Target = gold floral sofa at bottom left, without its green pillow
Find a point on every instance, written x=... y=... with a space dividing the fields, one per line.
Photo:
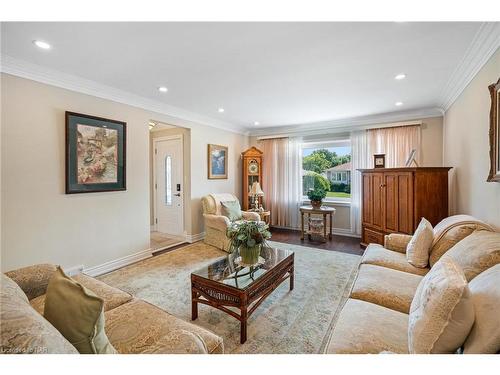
x=132 y=325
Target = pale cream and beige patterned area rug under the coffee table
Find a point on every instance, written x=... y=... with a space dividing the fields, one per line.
x=298 y=321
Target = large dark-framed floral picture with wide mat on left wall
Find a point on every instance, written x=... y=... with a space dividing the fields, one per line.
x=95 y=154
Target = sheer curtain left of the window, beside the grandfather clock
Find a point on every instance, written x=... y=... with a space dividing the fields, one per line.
x=281 y=179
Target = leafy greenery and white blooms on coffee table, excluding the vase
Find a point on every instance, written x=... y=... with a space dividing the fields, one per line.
x=247 y=234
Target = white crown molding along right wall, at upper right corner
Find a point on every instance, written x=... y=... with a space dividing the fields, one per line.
x=483 y=46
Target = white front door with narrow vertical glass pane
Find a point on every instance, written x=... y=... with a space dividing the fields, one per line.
x=169 y=185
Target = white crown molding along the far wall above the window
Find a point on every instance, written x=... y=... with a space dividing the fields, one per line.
x=349 y=124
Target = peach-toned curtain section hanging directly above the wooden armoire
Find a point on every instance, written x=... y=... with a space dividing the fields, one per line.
x=396 y=143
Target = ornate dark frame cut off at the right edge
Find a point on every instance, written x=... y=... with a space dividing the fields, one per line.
x=494 y=175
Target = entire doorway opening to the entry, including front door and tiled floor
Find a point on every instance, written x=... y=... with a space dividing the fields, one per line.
x=167 y=179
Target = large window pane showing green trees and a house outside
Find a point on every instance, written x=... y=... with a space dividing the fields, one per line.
x=327 y=166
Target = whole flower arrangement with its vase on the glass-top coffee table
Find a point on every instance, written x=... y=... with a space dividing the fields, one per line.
x=247 y=237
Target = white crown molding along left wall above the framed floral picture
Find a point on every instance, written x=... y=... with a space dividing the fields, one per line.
x=178 y=116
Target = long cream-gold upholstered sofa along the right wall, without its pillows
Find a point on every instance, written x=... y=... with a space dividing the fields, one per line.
x=375 y=318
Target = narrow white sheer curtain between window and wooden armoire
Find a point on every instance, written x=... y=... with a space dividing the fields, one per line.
x=361 y=157
